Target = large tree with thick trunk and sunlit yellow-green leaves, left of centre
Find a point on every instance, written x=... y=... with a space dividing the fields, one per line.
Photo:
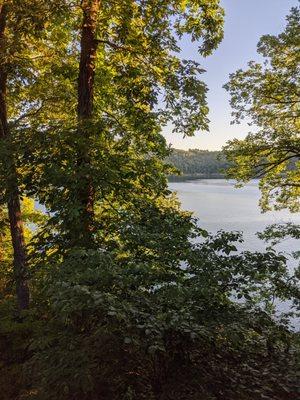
x=130 y=83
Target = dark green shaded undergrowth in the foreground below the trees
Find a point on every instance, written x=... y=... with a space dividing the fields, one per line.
x=116 y=329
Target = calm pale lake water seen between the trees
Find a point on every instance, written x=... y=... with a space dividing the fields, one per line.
x=219 y=205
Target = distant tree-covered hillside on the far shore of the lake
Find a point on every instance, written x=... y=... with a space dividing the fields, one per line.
x=196 y=163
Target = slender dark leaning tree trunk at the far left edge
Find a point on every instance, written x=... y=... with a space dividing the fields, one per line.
x=12 y=190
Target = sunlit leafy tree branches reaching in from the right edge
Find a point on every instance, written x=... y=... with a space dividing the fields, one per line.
x=269 y=95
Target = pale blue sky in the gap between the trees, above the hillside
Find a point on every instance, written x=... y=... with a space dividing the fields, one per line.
x=245 y=22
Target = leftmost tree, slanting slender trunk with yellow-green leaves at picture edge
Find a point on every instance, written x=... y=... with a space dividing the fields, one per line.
x=21 y=26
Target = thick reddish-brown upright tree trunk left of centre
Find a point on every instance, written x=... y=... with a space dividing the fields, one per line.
x=88 y=48
